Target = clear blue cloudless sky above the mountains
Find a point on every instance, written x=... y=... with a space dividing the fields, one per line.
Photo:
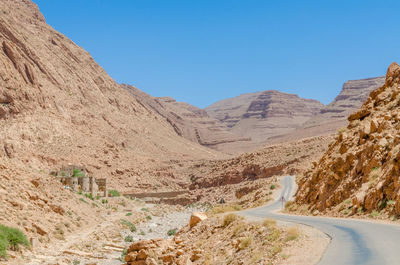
x=202 y=51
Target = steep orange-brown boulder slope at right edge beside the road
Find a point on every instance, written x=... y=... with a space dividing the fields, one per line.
x=359 y=172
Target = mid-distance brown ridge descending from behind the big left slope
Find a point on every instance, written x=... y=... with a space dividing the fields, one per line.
x=188 y=121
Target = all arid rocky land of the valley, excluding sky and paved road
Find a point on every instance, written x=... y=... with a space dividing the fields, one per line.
x=175 y=173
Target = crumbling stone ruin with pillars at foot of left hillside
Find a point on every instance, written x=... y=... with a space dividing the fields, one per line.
x=77 y=179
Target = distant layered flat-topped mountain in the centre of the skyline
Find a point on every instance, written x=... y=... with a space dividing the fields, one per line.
x=264 y=114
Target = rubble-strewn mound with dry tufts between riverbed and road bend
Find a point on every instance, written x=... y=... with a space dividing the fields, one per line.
x=230 y=240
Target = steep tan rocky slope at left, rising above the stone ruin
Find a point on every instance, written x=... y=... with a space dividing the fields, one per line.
x=58 y=107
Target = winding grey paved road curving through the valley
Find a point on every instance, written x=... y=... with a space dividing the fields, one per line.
x=353 y=242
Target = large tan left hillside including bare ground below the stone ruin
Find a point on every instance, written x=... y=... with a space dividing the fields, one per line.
x=58 y=107
